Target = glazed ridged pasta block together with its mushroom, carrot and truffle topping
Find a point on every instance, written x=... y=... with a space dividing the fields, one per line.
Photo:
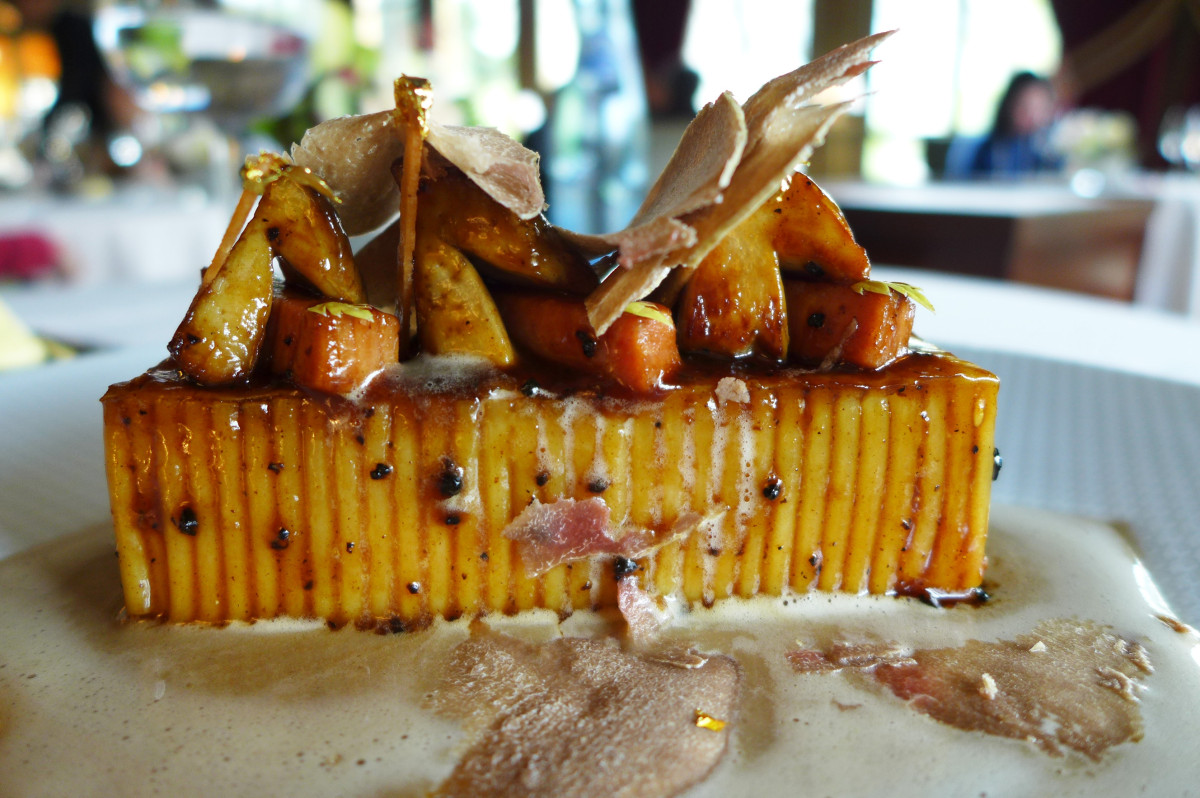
x=481 y=413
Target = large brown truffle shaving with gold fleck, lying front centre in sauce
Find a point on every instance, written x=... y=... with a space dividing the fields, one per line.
x=583 y=718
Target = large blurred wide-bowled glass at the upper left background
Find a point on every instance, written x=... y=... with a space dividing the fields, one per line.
x=225 y=62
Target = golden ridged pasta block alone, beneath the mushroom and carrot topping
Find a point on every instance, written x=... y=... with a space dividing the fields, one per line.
x=392 y=509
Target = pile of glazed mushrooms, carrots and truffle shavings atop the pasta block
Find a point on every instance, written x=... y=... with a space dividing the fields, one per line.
x=734 y=256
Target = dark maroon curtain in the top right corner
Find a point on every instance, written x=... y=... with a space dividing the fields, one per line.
x=1142 y=57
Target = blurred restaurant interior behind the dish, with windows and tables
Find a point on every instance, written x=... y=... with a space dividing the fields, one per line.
x=123 y=123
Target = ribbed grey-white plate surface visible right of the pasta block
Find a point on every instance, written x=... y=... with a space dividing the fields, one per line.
x=1109 y=446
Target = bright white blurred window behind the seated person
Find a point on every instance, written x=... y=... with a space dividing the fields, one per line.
x=945 y=74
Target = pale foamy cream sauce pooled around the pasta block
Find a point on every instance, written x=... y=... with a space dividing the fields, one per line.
x=92 y=706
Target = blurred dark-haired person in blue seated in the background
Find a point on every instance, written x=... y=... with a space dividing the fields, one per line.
x=1019 y=141
